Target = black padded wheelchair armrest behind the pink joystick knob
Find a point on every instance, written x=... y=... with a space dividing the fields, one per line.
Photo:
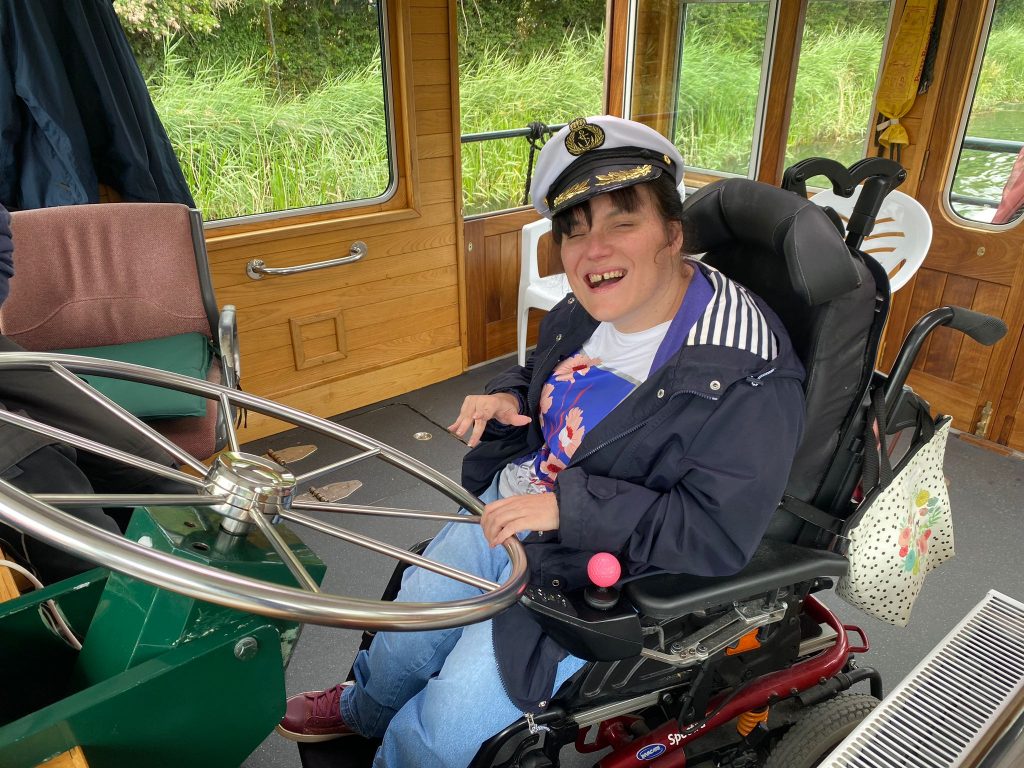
x=775 y=565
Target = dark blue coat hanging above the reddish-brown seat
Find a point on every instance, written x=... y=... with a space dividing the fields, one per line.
x=75 y=111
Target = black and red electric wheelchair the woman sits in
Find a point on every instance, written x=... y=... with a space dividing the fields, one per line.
x=749 y=670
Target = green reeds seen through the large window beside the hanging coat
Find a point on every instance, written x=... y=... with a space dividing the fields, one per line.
x=244 y=149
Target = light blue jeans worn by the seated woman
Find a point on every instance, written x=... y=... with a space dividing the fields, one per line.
x=435 y=697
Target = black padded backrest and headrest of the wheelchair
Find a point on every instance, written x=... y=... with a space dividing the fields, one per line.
x=833 y=303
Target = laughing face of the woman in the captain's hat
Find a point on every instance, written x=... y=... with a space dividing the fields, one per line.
x=625 y=268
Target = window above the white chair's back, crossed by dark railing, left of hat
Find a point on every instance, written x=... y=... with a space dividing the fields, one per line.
x=541 y=61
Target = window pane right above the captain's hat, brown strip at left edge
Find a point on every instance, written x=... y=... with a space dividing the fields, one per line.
x=706 y=87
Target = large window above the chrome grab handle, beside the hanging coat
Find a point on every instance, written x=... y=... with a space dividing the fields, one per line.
x=271 y=107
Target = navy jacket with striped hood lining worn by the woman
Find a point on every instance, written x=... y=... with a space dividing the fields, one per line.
x=684 y=476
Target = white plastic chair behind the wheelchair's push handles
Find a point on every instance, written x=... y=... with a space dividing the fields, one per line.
x=902 y=236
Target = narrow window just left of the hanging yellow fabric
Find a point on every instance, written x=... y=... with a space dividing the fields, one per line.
x=840 y=63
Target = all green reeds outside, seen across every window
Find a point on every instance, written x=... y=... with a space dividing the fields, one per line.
x=247 y=149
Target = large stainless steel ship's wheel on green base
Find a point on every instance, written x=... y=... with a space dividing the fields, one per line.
x=247 y=491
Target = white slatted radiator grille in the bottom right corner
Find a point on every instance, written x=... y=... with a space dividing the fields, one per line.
x=936 y=717
